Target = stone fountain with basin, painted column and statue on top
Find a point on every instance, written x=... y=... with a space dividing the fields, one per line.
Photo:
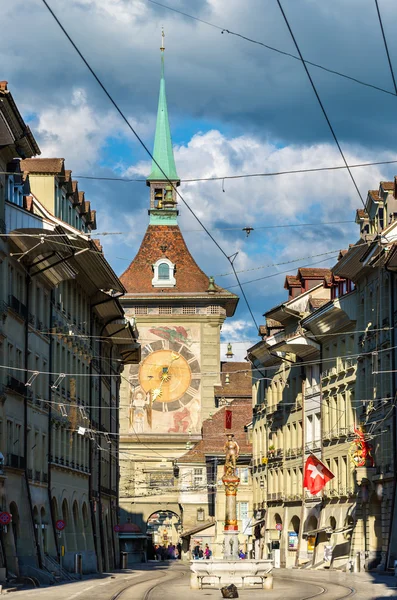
x=244 y=573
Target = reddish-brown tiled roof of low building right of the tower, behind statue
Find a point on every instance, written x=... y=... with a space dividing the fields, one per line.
x=214 y=435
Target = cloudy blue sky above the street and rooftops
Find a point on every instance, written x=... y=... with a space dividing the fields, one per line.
x=235 y=108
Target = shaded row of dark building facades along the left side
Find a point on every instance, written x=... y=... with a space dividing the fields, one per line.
x=64 y=343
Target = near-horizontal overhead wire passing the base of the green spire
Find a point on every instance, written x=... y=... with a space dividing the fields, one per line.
x=229 y=177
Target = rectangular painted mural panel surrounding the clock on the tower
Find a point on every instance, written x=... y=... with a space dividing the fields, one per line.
x=164 y=389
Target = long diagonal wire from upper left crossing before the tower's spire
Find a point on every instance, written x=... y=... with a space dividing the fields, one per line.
x=151 y=156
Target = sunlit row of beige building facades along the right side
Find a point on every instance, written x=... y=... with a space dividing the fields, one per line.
x=347 y=396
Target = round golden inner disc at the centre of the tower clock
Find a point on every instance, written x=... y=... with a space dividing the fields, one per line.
x=166 y=375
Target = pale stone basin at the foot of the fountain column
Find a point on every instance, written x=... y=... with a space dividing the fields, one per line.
x=217 y=573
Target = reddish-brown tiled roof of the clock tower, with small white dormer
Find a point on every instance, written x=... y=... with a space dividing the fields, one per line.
x=137 y=278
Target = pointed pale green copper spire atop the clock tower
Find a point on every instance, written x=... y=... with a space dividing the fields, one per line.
x=163 y=153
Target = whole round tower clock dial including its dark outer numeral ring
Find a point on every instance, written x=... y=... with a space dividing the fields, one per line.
x=170 y=374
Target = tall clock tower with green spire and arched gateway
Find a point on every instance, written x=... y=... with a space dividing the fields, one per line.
x=179 y=312
